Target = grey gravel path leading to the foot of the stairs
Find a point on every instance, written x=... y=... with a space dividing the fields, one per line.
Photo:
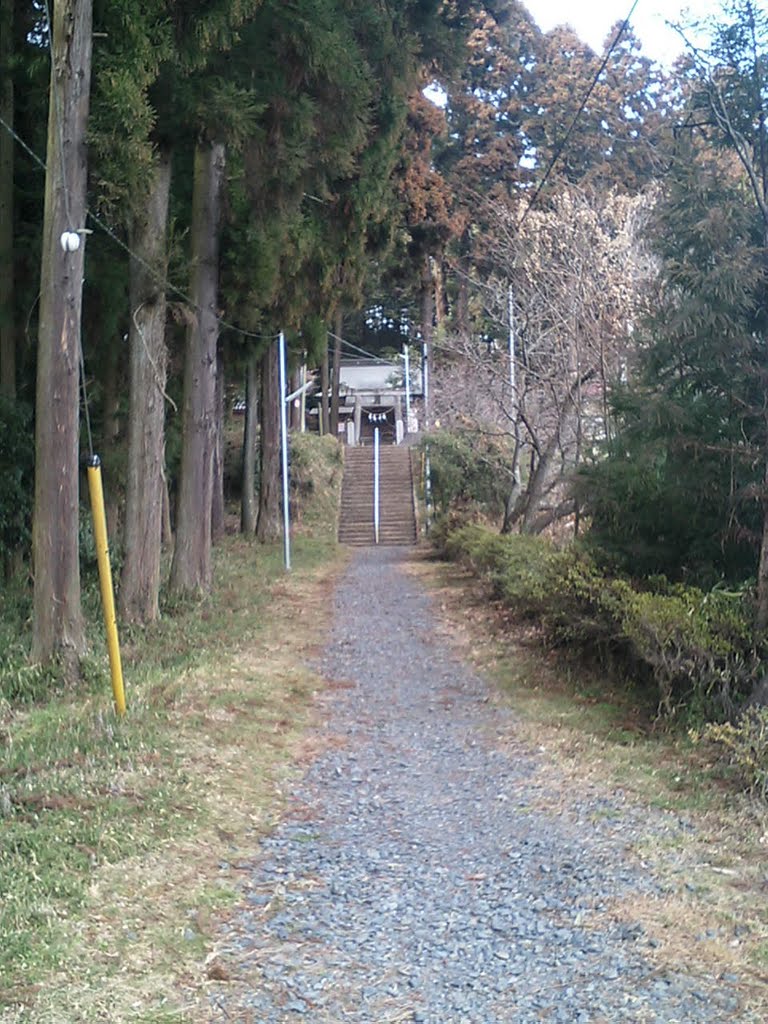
x=414 y=880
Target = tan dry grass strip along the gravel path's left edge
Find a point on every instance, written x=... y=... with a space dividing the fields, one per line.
x=144 y=950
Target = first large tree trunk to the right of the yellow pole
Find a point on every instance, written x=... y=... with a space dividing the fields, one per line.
x=140 y=585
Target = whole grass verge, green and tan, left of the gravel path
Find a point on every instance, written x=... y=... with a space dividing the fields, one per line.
x=122 y=841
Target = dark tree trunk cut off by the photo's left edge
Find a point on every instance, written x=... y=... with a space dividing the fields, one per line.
x=8 y=327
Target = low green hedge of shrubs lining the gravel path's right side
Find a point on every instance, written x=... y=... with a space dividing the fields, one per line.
x=695 y=648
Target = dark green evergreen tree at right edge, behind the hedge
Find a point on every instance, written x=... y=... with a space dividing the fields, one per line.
x=680 y=491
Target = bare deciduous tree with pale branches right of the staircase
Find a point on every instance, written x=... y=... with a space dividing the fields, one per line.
x=576 y=275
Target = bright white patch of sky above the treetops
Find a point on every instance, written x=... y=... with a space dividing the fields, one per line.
x=592 y=21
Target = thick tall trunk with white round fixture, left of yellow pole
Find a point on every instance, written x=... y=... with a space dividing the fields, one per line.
x=58 y=621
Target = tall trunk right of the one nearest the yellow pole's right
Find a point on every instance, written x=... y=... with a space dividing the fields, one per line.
x=192 y=569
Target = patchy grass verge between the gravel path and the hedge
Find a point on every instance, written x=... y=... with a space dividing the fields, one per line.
x=709 y=840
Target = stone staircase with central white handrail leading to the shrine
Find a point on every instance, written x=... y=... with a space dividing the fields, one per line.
x=397 y=514
